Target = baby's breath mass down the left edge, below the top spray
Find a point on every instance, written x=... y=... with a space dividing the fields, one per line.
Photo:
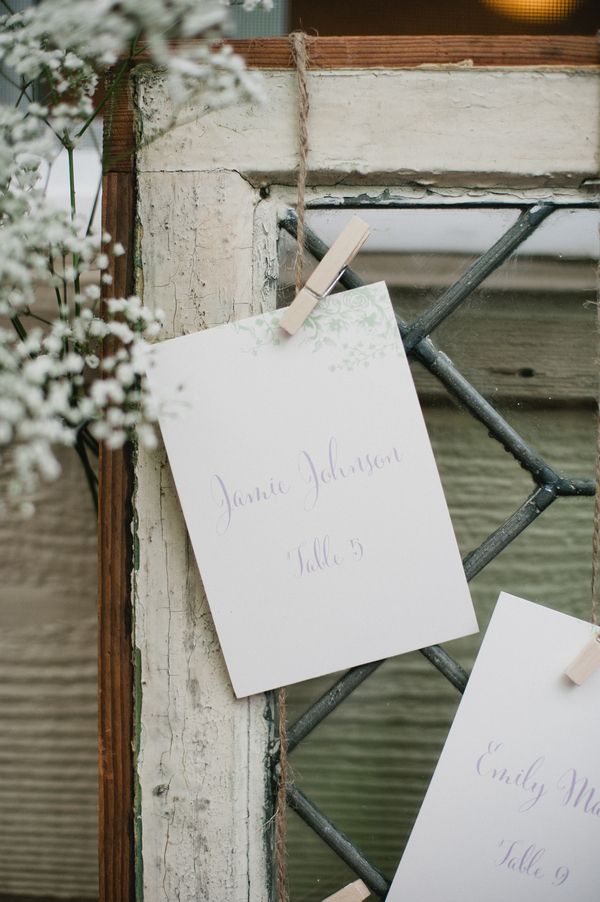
x=54 y=381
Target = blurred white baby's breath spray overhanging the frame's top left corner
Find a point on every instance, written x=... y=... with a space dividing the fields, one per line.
x=68 y=41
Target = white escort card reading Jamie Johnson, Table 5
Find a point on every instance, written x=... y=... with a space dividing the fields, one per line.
x=310 y=491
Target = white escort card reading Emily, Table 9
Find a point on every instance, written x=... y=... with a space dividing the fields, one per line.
x=513 y=809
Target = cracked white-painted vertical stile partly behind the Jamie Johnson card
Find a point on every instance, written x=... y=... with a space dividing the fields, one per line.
x=201 y=767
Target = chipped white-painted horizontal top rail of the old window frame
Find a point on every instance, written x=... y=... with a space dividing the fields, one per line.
x=431 y=126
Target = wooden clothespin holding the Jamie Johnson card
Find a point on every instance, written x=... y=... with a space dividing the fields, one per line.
x=329 y=270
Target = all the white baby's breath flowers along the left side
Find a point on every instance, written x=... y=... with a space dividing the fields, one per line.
x=76 y=378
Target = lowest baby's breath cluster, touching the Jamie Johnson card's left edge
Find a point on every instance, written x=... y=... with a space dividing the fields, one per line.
x=79 y=372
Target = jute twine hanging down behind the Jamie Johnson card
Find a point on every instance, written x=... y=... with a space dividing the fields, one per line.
x=300 y=57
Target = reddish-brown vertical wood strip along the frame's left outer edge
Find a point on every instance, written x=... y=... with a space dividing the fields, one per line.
x=115 y=709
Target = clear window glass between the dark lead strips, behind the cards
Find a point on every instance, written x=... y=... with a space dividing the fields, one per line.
x=526 y=340
